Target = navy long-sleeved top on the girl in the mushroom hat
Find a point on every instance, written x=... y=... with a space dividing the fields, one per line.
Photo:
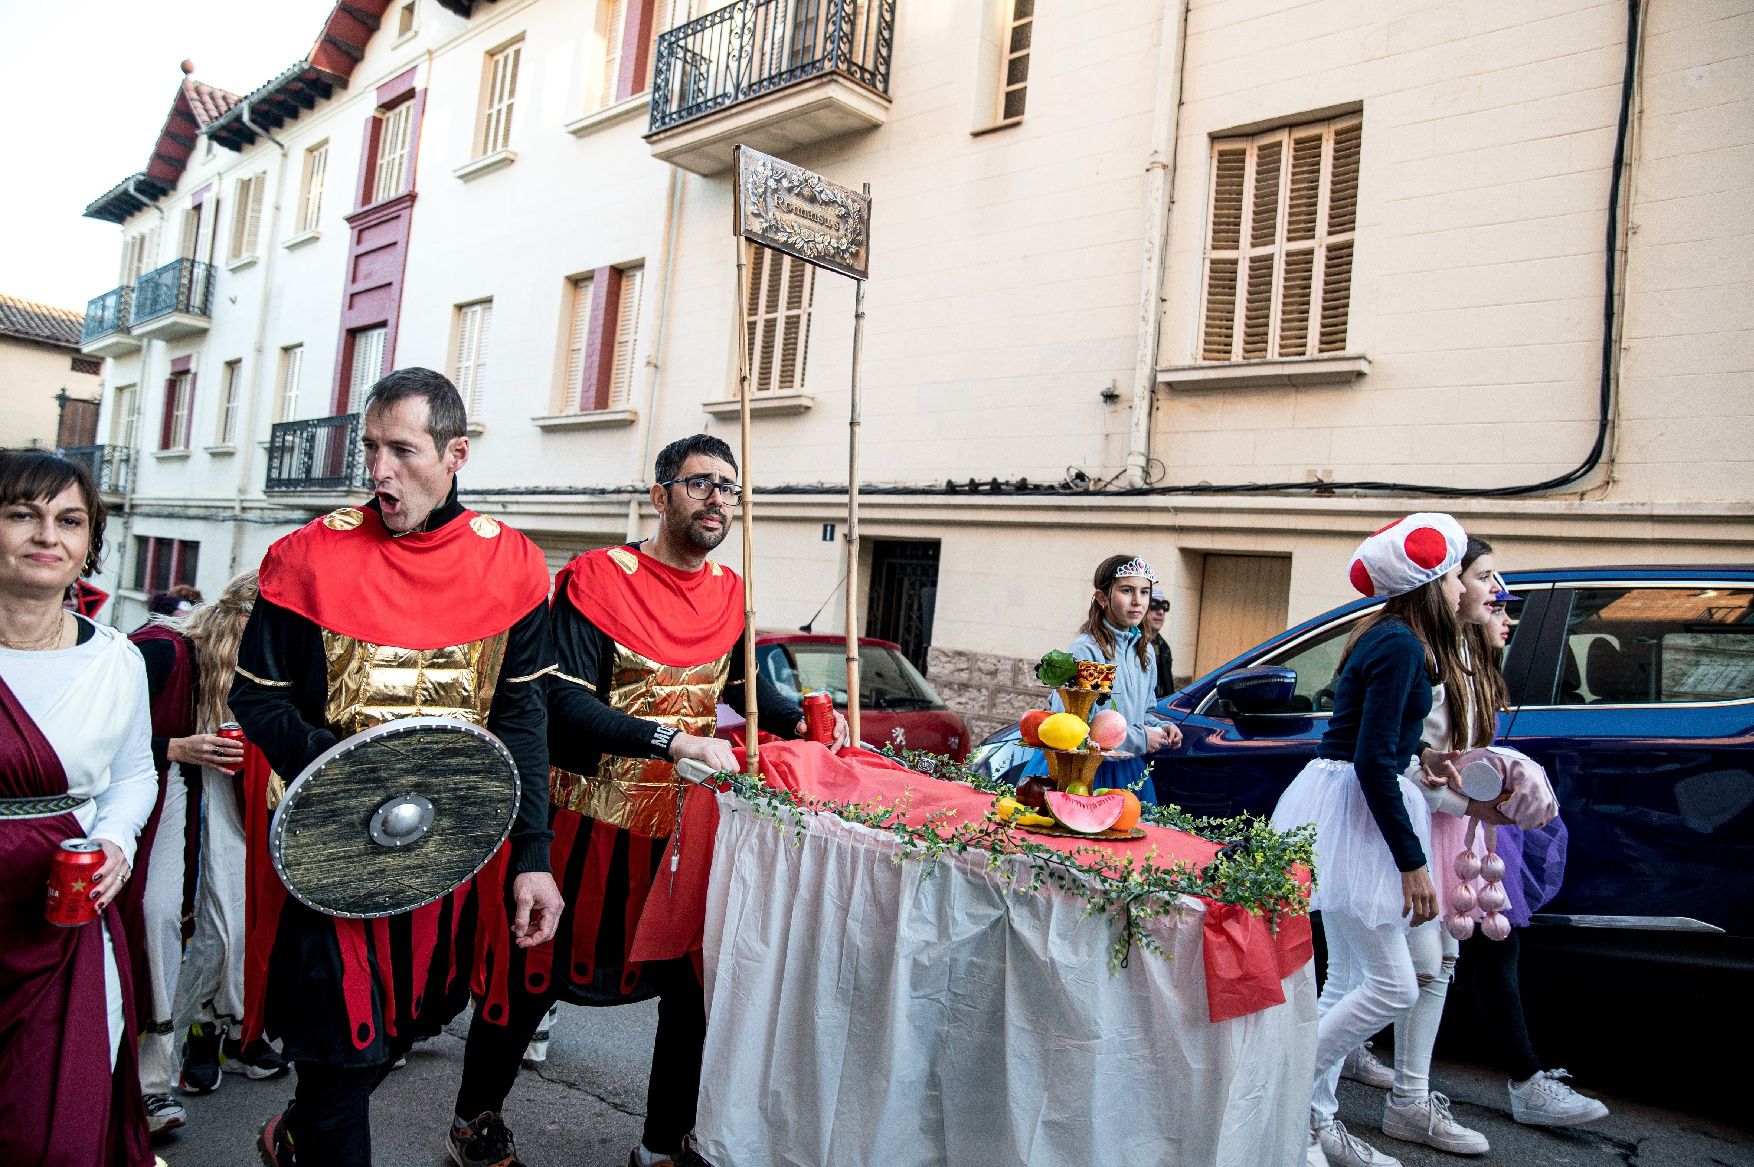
x=1380 y=706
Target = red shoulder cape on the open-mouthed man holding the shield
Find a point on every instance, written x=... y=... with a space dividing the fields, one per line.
x=466 y=582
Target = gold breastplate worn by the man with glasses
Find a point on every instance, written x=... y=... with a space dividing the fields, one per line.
x=639 y=794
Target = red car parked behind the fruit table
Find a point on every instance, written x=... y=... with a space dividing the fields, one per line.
x=897 y=706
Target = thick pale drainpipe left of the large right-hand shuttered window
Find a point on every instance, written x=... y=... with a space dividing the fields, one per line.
x=1160 y=173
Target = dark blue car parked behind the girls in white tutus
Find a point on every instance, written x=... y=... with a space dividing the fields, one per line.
x=1632 y=685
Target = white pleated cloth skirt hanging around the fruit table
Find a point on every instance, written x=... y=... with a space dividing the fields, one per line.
x=866 y=1015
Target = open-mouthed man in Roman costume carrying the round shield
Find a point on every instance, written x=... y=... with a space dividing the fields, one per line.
x=410 y=606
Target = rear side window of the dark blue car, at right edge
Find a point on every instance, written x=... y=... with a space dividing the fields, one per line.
x=1639 y=647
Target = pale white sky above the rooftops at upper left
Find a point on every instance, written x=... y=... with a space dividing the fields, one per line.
x=85 y=87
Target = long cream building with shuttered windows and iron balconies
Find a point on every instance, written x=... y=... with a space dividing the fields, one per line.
x=1218 y=283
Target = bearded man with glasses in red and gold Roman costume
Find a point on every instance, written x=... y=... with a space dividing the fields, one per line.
x=648 y=638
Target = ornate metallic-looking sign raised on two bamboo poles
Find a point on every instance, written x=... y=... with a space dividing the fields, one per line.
x=804 y=215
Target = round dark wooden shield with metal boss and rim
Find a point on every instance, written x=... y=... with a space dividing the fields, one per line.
x=394 y=817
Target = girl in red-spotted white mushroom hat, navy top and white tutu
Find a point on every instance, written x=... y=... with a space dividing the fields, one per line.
x=1373 y=822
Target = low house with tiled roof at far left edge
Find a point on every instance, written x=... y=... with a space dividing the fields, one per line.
x=50 y=390
